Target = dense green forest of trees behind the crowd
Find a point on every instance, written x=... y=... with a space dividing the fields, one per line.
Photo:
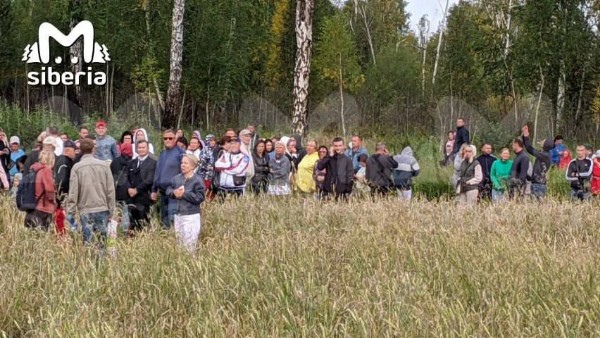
x=502 y=61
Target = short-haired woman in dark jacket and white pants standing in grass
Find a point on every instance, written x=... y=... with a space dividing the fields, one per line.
x=187 y=193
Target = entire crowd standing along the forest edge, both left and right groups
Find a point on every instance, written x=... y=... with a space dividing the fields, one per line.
x=100 y=179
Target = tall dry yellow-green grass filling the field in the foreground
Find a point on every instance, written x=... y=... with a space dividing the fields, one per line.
x=292 y=267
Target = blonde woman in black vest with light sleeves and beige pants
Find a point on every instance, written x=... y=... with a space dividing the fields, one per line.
x=470 y=175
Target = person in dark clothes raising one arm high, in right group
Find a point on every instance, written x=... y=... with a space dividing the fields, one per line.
x=543 y=162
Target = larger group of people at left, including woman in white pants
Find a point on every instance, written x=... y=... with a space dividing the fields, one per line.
x=101 y=179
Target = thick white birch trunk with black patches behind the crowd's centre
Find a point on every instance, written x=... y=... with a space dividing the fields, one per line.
x=304 y=16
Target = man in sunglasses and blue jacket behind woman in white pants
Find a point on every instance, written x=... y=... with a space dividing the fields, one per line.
x=167 y=167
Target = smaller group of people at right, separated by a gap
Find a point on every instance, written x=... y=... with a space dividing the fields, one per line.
x=484 y=177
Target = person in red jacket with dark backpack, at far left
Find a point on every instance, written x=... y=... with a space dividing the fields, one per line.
x=41 y=216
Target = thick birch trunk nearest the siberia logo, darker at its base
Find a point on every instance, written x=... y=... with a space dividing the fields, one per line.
x=173 y=102
